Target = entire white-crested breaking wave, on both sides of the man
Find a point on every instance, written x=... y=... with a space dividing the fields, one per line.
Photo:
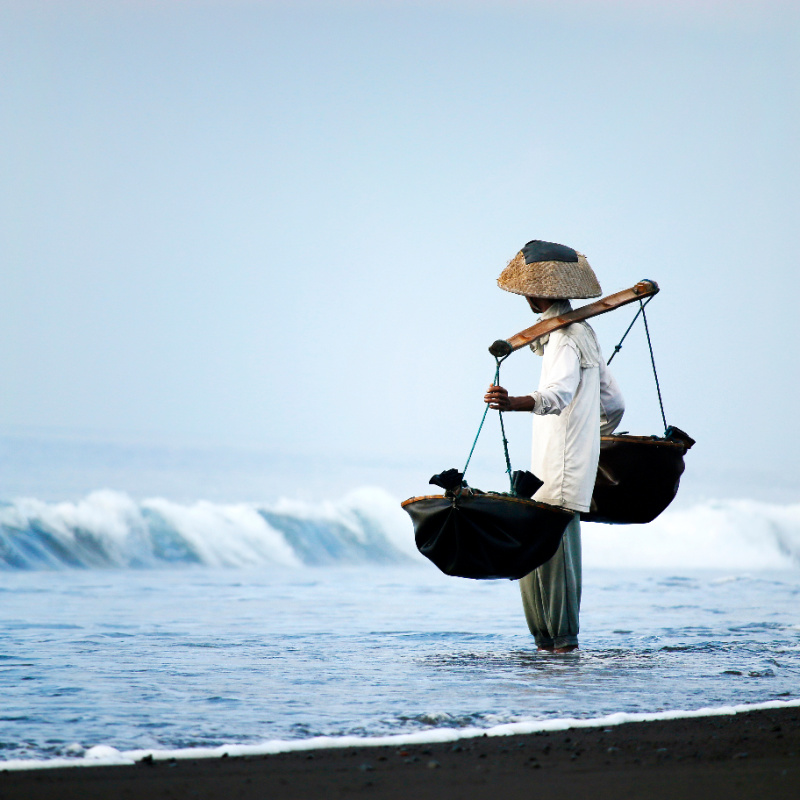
x=109 y=529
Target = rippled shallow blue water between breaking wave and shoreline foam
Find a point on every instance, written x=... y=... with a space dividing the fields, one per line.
x=200 y=656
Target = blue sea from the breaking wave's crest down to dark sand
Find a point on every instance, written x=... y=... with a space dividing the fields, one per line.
x=150 y=625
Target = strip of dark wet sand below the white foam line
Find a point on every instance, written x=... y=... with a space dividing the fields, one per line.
x=750 y=755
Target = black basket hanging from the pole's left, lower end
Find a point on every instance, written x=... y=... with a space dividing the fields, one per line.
x=486 y=535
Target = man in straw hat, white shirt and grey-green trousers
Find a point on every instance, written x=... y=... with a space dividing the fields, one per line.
x=577 y=399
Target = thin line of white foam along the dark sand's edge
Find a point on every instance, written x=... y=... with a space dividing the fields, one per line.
x=105 y=755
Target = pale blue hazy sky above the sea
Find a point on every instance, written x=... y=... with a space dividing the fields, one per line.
x=280 y=224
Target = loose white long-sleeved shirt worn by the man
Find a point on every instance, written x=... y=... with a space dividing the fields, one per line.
x=577 y=399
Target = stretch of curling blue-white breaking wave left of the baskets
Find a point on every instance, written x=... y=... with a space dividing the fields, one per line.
x=109 y=529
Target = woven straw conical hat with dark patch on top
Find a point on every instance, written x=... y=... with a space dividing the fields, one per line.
x=545 y=269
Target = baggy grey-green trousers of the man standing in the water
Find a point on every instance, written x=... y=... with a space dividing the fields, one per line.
x=551 y=594
